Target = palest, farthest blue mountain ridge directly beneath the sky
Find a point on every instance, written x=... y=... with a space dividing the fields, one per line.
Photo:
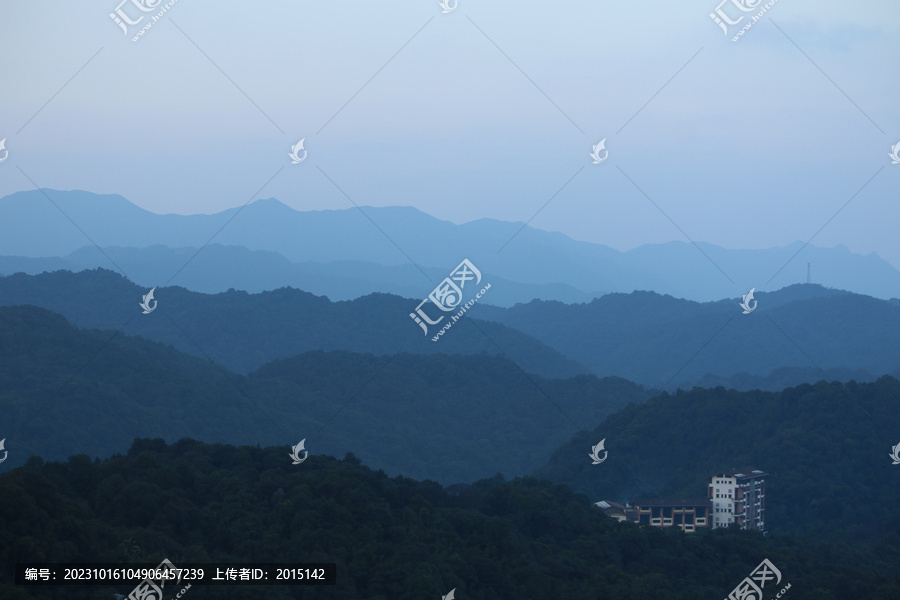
x=31 y=227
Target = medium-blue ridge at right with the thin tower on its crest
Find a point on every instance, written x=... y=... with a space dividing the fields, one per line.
x=663 y=342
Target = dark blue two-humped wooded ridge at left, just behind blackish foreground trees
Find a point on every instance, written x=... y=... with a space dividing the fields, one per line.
x=65 y=391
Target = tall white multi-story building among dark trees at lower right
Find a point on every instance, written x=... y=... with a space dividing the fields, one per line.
x=739 y=496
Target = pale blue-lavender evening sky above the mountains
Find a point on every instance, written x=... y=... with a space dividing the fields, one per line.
x=487 y=111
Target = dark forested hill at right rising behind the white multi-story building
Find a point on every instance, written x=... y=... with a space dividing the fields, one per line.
x=825 y=447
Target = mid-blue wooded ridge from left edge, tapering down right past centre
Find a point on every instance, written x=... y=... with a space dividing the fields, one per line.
x=244 y=331
